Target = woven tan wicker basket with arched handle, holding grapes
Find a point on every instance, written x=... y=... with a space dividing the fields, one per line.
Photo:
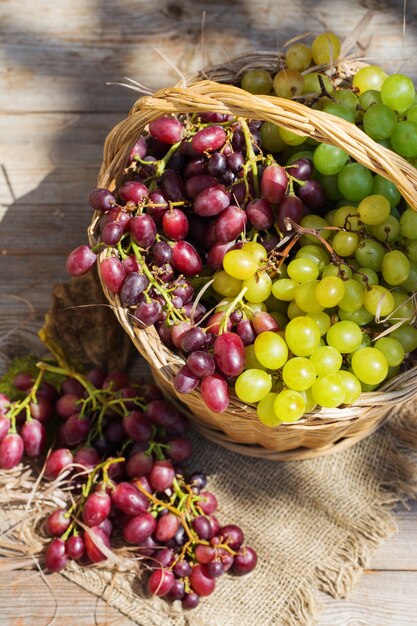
x=239 y=429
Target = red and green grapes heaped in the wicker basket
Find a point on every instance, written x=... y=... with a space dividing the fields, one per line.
x=271 y=264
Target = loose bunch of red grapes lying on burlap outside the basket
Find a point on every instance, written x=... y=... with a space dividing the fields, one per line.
x=120 y=452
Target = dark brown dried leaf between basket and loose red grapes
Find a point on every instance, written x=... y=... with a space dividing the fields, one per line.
x=80 y=328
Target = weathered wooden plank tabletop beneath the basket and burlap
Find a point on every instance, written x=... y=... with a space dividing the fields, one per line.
x=56 y=110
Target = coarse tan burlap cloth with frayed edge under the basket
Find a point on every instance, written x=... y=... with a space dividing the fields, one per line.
x=315 y=525
